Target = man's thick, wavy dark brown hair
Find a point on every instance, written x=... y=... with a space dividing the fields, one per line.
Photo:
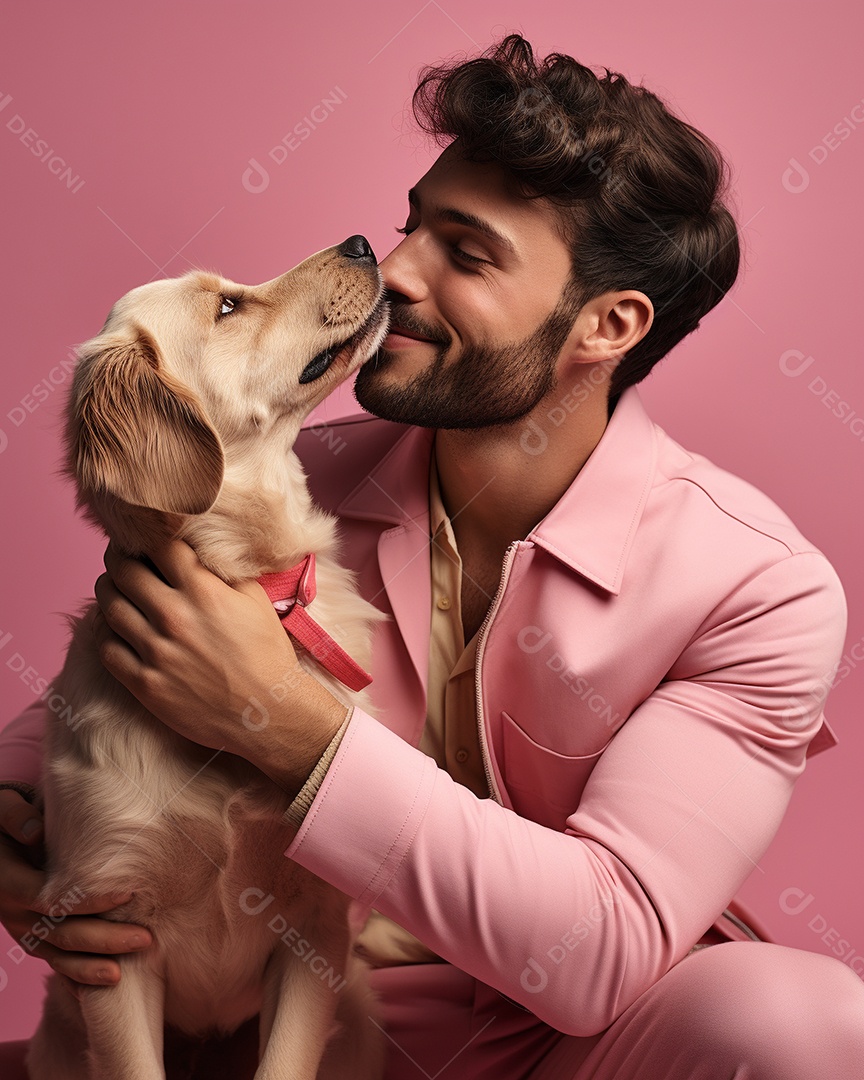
x=640 y=191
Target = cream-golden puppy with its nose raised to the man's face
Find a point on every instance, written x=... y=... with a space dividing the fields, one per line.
x=181 y=423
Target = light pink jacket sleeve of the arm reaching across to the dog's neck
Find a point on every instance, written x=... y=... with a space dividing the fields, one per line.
x=677 y=815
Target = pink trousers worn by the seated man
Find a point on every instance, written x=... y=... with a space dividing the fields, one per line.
x=736 y=1011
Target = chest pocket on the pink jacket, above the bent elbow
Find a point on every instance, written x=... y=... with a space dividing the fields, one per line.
x=543 y=785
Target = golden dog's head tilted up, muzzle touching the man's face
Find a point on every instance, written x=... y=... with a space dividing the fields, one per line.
x=188 y=368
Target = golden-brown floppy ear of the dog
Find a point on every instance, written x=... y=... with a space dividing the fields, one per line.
x=138 y=434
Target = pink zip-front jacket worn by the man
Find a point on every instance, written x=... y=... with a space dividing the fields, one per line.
x=651 y=679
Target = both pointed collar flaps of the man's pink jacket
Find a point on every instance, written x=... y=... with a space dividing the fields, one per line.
x=591 y=529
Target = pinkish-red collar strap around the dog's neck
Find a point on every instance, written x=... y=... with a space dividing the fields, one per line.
x=290 y=591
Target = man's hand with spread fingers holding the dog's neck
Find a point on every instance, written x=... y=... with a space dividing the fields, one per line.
x=213 y=663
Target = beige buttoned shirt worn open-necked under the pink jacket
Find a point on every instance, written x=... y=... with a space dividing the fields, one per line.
x=451 y=733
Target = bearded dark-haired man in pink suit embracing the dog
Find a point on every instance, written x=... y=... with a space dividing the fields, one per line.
x=587 y=748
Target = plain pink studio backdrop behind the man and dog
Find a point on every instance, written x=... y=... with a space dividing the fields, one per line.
x=157 y=111
